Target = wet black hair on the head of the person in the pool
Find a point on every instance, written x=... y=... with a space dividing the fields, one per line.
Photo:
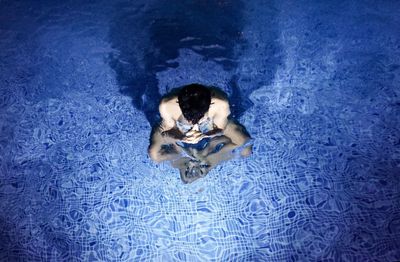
x=194 y=101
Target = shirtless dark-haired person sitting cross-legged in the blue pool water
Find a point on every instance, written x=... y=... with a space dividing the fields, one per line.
x=195 y=122
